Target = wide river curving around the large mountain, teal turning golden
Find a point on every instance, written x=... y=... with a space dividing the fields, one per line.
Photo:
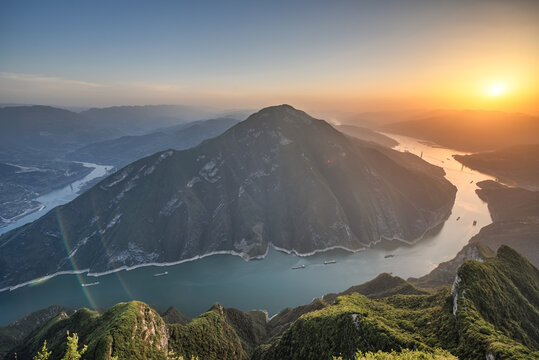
x=270 y=284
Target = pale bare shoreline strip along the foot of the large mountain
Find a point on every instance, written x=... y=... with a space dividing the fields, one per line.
x=244 y=256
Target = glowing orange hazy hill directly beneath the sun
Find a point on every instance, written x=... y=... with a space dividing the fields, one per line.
x=470 y=130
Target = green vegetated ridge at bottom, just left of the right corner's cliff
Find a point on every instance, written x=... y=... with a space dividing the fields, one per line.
x=355 y=322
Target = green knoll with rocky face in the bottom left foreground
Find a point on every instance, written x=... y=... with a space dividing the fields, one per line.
x=128 y=330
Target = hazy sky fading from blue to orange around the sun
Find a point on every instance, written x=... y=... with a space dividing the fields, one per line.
x=347 y=55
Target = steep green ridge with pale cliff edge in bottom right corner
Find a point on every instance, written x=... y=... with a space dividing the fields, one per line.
x=496 y=304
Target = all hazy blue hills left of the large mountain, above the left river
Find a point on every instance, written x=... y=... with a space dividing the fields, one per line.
x=45 y=141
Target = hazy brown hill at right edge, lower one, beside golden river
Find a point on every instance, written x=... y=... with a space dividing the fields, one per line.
x=516 y=165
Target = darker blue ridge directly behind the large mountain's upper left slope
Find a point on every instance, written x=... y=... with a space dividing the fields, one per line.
x=126 y=149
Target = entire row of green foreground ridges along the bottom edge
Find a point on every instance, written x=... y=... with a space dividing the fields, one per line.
x=490 y=312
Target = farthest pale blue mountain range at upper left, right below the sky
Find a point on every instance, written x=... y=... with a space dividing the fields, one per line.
x=35 y=133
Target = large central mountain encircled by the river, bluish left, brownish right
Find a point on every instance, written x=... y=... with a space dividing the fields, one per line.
x=280 y=177
